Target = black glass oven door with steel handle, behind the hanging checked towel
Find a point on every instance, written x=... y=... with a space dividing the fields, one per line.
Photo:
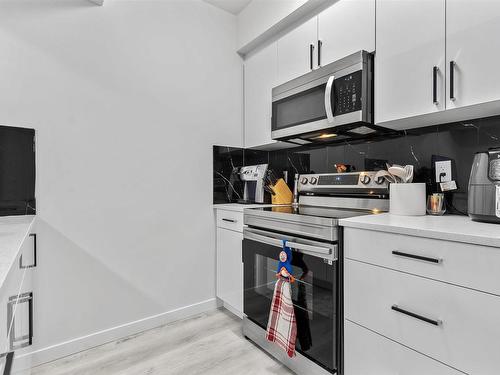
x=314 y=293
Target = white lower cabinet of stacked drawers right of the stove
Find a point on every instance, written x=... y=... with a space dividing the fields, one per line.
x=434 y=298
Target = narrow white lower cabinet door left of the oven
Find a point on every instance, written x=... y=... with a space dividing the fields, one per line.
x=230 y=268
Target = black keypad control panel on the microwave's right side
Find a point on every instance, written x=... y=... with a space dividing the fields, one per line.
x=348 y=91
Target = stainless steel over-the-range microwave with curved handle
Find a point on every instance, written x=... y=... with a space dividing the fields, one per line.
x=334 y=102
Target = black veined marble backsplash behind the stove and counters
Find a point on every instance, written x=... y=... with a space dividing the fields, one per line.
x=458 y=141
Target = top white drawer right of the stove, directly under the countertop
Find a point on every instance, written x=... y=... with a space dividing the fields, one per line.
x=472 y=266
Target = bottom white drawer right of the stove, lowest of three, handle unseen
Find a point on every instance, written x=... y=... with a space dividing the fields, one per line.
x=367 y=353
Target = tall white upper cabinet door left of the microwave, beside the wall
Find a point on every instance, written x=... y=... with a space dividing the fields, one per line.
x=261 y=75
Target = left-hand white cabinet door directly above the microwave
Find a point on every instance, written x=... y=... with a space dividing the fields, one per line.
x=294 y=51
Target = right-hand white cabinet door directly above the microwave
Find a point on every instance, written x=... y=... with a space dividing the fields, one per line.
x=346 y=27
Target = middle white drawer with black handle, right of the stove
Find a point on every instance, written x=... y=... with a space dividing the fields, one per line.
x=467 y=339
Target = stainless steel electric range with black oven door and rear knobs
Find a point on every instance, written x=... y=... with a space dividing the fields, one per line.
x=311 y=229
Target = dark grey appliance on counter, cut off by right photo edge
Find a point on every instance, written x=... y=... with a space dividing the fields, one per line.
x=484 y=187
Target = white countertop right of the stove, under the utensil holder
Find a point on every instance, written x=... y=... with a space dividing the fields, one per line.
x=448 y=227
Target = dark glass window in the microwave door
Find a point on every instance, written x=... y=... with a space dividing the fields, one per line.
x=298 y=109
